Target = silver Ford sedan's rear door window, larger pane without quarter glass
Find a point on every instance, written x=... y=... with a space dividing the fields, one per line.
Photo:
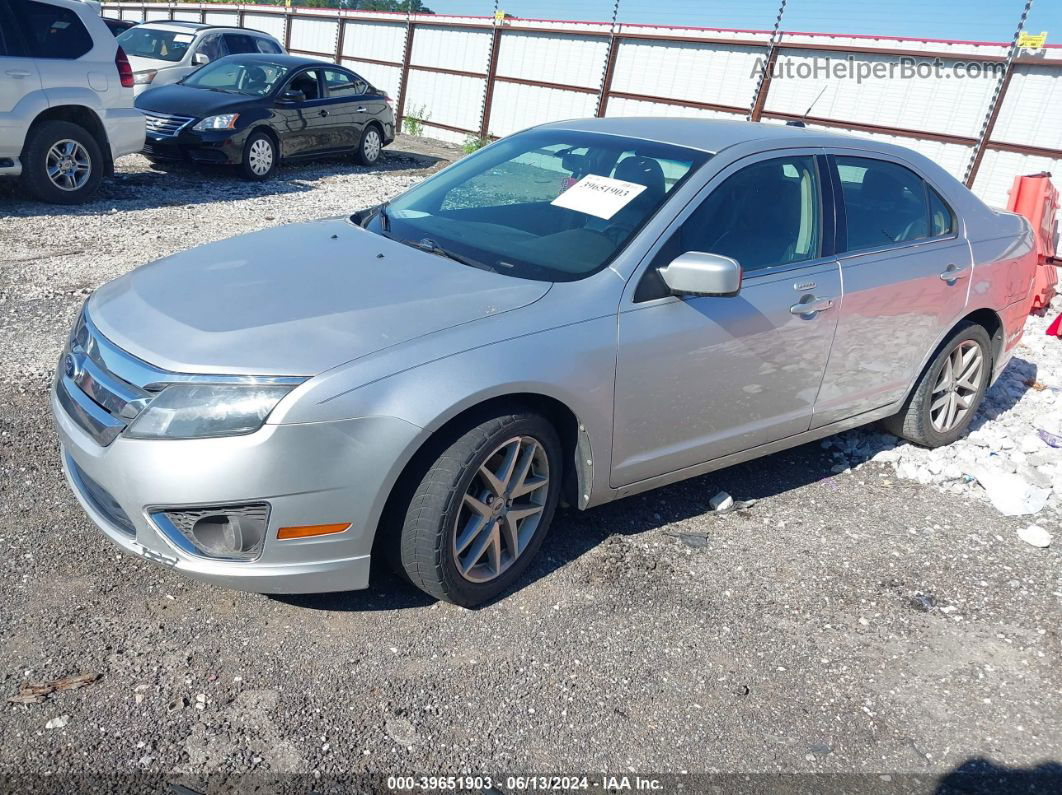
x=884 y=203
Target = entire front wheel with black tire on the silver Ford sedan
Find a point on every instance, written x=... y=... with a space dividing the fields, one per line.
x=483 y=508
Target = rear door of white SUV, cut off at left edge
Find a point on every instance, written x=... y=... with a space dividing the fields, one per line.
x=21 y=97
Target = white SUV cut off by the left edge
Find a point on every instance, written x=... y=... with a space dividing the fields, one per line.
x=66 y=99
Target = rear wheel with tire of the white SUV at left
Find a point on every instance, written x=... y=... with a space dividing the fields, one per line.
x=62 y=164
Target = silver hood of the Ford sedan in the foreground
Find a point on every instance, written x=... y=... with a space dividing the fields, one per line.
x=295 y=301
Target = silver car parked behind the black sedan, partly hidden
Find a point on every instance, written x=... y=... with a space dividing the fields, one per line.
x=165 y=53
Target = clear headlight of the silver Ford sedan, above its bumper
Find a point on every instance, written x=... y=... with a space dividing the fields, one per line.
x=196 y=411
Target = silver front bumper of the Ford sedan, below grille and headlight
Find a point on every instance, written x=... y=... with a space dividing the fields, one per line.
x=312 y=474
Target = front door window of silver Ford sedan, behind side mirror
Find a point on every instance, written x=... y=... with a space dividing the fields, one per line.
x=766 y=215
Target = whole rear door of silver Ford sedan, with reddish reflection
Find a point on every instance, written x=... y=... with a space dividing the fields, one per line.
x=906 y=269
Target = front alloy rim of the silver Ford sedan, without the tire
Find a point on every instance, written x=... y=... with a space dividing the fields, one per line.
x=502 y=509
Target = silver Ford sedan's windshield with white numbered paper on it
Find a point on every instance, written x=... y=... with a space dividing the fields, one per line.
x=552 y=205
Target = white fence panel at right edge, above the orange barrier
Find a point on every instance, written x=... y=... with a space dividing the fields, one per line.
x=1032 y=111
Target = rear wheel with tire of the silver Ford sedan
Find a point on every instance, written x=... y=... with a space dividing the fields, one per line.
x=950 y=392
